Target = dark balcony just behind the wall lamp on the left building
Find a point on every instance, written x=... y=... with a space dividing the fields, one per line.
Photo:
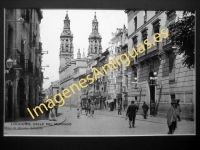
x=17 y=56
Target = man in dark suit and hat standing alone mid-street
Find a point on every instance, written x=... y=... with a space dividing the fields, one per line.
x=131 y=113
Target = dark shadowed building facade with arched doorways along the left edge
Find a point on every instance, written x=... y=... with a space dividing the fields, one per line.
x=23 y=51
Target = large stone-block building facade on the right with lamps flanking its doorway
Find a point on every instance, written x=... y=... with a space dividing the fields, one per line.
x=157 y=75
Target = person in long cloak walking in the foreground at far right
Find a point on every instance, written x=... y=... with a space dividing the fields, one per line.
x=172 y=118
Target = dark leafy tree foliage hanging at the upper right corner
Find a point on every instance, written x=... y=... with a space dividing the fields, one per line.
x=181 y=33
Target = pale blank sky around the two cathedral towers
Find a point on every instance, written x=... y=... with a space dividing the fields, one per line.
x=81 y=26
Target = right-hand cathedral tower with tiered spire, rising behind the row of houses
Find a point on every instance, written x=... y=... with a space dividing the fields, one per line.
x=94 y=39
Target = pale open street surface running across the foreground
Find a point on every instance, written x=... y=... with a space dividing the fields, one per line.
x=104 y=122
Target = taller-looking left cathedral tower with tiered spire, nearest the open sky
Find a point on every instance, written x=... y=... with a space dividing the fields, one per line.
x=66 y=44
